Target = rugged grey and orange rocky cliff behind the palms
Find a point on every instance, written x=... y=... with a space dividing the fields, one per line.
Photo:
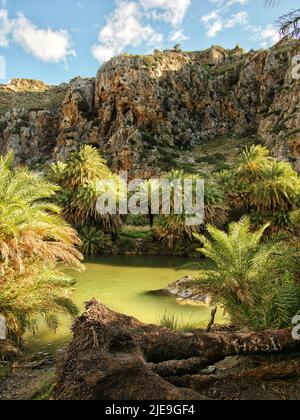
x=155 y=112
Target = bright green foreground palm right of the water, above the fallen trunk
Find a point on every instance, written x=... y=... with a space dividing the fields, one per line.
x=248 y=277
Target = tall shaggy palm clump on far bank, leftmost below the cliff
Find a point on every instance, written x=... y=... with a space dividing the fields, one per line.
x=78 y=179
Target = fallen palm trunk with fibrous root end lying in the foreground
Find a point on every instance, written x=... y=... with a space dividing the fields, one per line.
x=116 y=357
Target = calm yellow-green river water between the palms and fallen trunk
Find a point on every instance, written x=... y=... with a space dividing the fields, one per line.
x=122 y=284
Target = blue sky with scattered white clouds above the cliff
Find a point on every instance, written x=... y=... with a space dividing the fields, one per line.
x=56 y=40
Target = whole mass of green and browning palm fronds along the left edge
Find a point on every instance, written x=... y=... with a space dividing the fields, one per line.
x=36 y=244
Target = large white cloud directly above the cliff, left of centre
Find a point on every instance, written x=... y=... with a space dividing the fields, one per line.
x=124 y=28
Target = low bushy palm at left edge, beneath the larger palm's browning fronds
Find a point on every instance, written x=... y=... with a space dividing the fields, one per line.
x=40 y=291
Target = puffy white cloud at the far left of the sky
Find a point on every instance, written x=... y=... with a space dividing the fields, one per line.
x=45 y=44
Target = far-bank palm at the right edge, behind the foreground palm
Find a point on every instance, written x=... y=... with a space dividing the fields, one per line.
x=263 y=187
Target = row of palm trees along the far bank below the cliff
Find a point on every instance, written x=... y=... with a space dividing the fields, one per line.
x=259 y=185
